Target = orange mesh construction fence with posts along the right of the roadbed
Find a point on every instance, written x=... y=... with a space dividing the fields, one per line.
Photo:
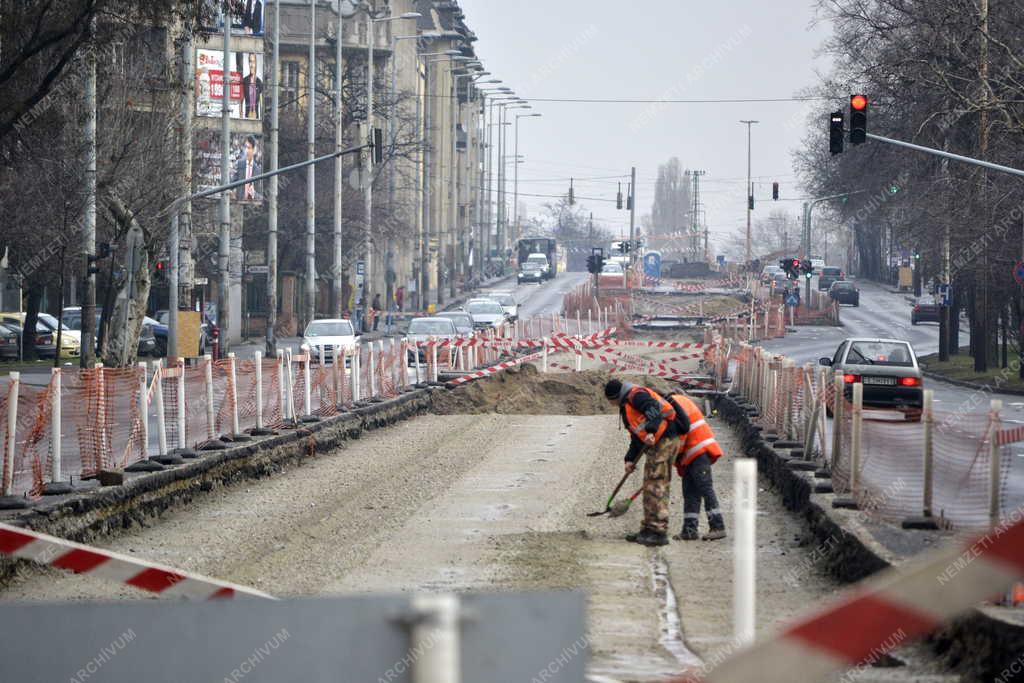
x=951 y=467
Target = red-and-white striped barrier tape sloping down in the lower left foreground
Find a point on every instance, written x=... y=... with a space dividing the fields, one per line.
x=50 y=550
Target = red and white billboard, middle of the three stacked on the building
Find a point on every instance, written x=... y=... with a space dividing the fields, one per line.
x=245 y=92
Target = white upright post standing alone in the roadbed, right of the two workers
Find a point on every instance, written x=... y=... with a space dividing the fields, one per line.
x=745 y=564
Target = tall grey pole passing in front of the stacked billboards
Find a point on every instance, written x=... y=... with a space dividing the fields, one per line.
x=225 y=245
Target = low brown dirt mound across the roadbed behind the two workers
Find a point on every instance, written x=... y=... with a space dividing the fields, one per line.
x=525 y=391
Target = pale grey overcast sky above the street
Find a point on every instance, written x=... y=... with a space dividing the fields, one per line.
x=659 y=50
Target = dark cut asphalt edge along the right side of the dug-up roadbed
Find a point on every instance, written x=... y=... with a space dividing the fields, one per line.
x=983 y=646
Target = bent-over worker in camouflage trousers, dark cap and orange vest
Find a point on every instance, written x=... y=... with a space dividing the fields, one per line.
x=655 y=430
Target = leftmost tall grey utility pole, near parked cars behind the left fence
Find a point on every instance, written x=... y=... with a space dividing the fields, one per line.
x=89 y=357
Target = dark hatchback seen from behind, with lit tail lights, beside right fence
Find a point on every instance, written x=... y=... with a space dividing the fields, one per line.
x=888 y=370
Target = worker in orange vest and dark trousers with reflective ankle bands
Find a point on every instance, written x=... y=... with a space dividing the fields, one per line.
x=698 y=452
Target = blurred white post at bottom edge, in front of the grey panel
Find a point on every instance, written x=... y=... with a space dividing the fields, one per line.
x=436 y=637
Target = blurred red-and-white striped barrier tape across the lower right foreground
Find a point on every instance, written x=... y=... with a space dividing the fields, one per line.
x=891 y=610
